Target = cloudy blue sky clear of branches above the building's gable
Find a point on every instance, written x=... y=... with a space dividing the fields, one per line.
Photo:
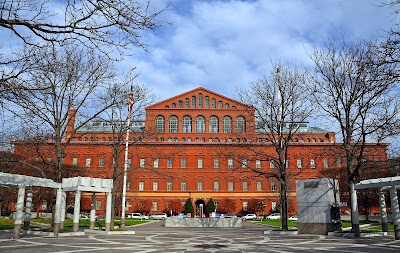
x=225 y=44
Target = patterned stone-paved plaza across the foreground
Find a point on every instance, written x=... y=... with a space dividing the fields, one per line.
x=154 y=237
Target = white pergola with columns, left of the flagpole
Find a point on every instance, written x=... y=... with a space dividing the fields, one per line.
x=76 y=184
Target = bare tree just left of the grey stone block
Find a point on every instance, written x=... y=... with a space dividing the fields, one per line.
x=280 y=107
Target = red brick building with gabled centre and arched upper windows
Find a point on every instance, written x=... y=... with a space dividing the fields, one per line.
x=203 y=145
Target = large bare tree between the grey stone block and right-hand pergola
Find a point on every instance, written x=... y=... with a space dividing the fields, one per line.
x=355 y=87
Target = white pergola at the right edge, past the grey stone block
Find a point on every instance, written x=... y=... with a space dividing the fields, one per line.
x=390 y=184
